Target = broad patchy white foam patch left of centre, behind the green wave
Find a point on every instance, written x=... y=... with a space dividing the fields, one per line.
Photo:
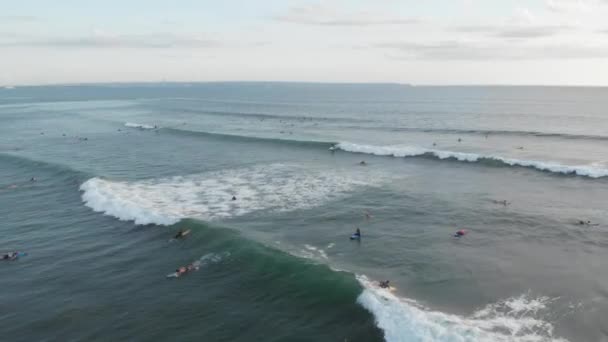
x=207 y=196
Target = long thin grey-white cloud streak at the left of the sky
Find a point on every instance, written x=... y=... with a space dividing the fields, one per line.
x=100 y=39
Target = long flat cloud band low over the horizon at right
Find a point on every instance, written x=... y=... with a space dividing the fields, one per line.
x=460 y=50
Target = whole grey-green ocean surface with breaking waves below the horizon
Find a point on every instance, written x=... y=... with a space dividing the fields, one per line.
x=119 y=169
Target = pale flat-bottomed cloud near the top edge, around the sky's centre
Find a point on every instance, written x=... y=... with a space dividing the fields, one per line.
x=326 y=16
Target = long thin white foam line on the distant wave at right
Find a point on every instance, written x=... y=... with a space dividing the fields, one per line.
x=413 y=151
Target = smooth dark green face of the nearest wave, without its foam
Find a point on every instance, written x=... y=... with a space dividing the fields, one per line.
x=278 y=292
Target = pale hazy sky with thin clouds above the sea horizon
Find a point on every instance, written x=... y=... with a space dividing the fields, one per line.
x=421 y=42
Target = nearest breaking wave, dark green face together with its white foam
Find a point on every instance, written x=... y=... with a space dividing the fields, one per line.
x=274 y=288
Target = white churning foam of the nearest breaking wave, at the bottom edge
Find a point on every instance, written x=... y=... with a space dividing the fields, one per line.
x=515 y=319
